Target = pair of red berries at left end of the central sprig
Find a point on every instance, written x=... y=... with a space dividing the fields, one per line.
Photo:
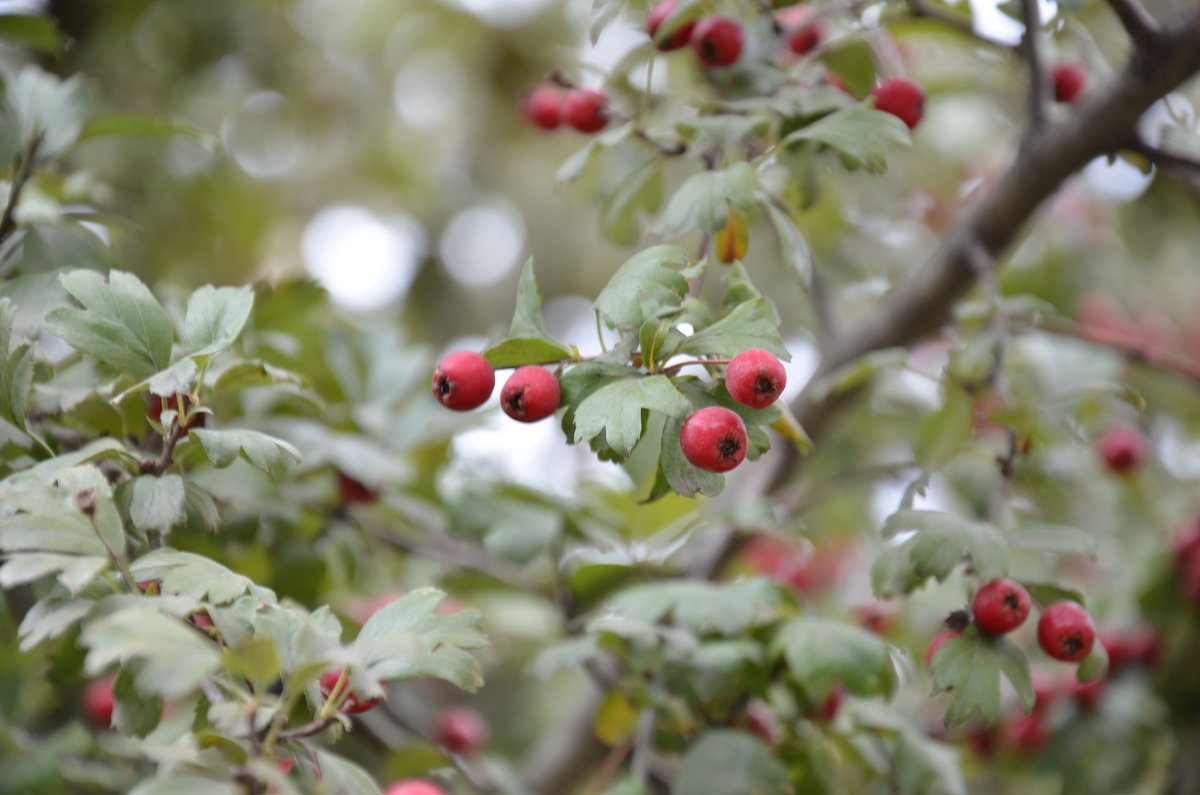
x=465 y=381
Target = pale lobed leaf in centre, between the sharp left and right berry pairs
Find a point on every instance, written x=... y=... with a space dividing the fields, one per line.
x=616 y=410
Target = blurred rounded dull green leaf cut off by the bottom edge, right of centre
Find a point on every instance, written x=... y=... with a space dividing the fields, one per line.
x=730 y=763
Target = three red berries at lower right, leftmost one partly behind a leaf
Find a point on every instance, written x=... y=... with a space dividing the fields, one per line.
x=1066 y=631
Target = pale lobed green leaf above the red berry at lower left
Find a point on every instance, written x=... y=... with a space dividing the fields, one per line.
x=407 y=639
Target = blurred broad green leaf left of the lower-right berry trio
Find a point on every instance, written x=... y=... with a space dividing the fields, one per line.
x=823 y=654
